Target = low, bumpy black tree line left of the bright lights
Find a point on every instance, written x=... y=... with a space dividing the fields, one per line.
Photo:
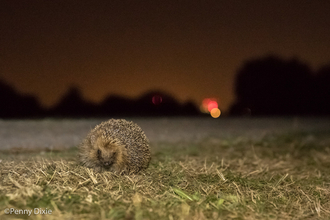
x=73 y=105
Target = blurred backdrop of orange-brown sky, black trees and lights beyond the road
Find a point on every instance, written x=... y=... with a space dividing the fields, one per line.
x=105 y=58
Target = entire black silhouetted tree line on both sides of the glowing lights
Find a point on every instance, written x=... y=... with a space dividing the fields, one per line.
x=266 y=86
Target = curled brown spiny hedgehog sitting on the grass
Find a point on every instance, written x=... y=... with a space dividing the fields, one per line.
x=115 y=145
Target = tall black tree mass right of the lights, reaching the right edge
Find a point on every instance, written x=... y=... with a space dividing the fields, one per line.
x=274 y=86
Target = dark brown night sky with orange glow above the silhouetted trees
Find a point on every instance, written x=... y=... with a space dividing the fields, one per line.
x=190 y=49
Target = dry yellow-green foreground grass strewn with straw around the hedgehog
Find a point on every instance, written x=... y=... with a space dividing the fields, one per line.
x=278 y=177
